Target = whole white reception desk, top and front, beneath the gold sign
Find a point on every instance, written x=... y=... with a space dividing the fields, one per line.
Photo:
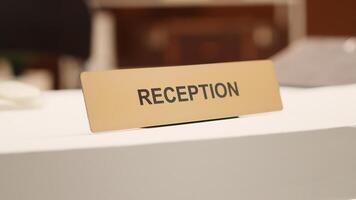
x=306 y=151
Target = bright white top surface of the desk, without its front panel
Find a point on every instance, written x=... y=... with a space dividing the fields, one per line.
x=61 y=122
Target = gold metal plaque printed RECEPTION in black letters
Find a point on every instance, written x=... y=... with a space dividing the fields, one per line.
x=132 y=98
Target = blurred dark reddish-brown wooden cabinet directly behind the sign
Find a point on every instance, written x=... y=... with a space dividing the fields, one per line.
x=191 y=35
